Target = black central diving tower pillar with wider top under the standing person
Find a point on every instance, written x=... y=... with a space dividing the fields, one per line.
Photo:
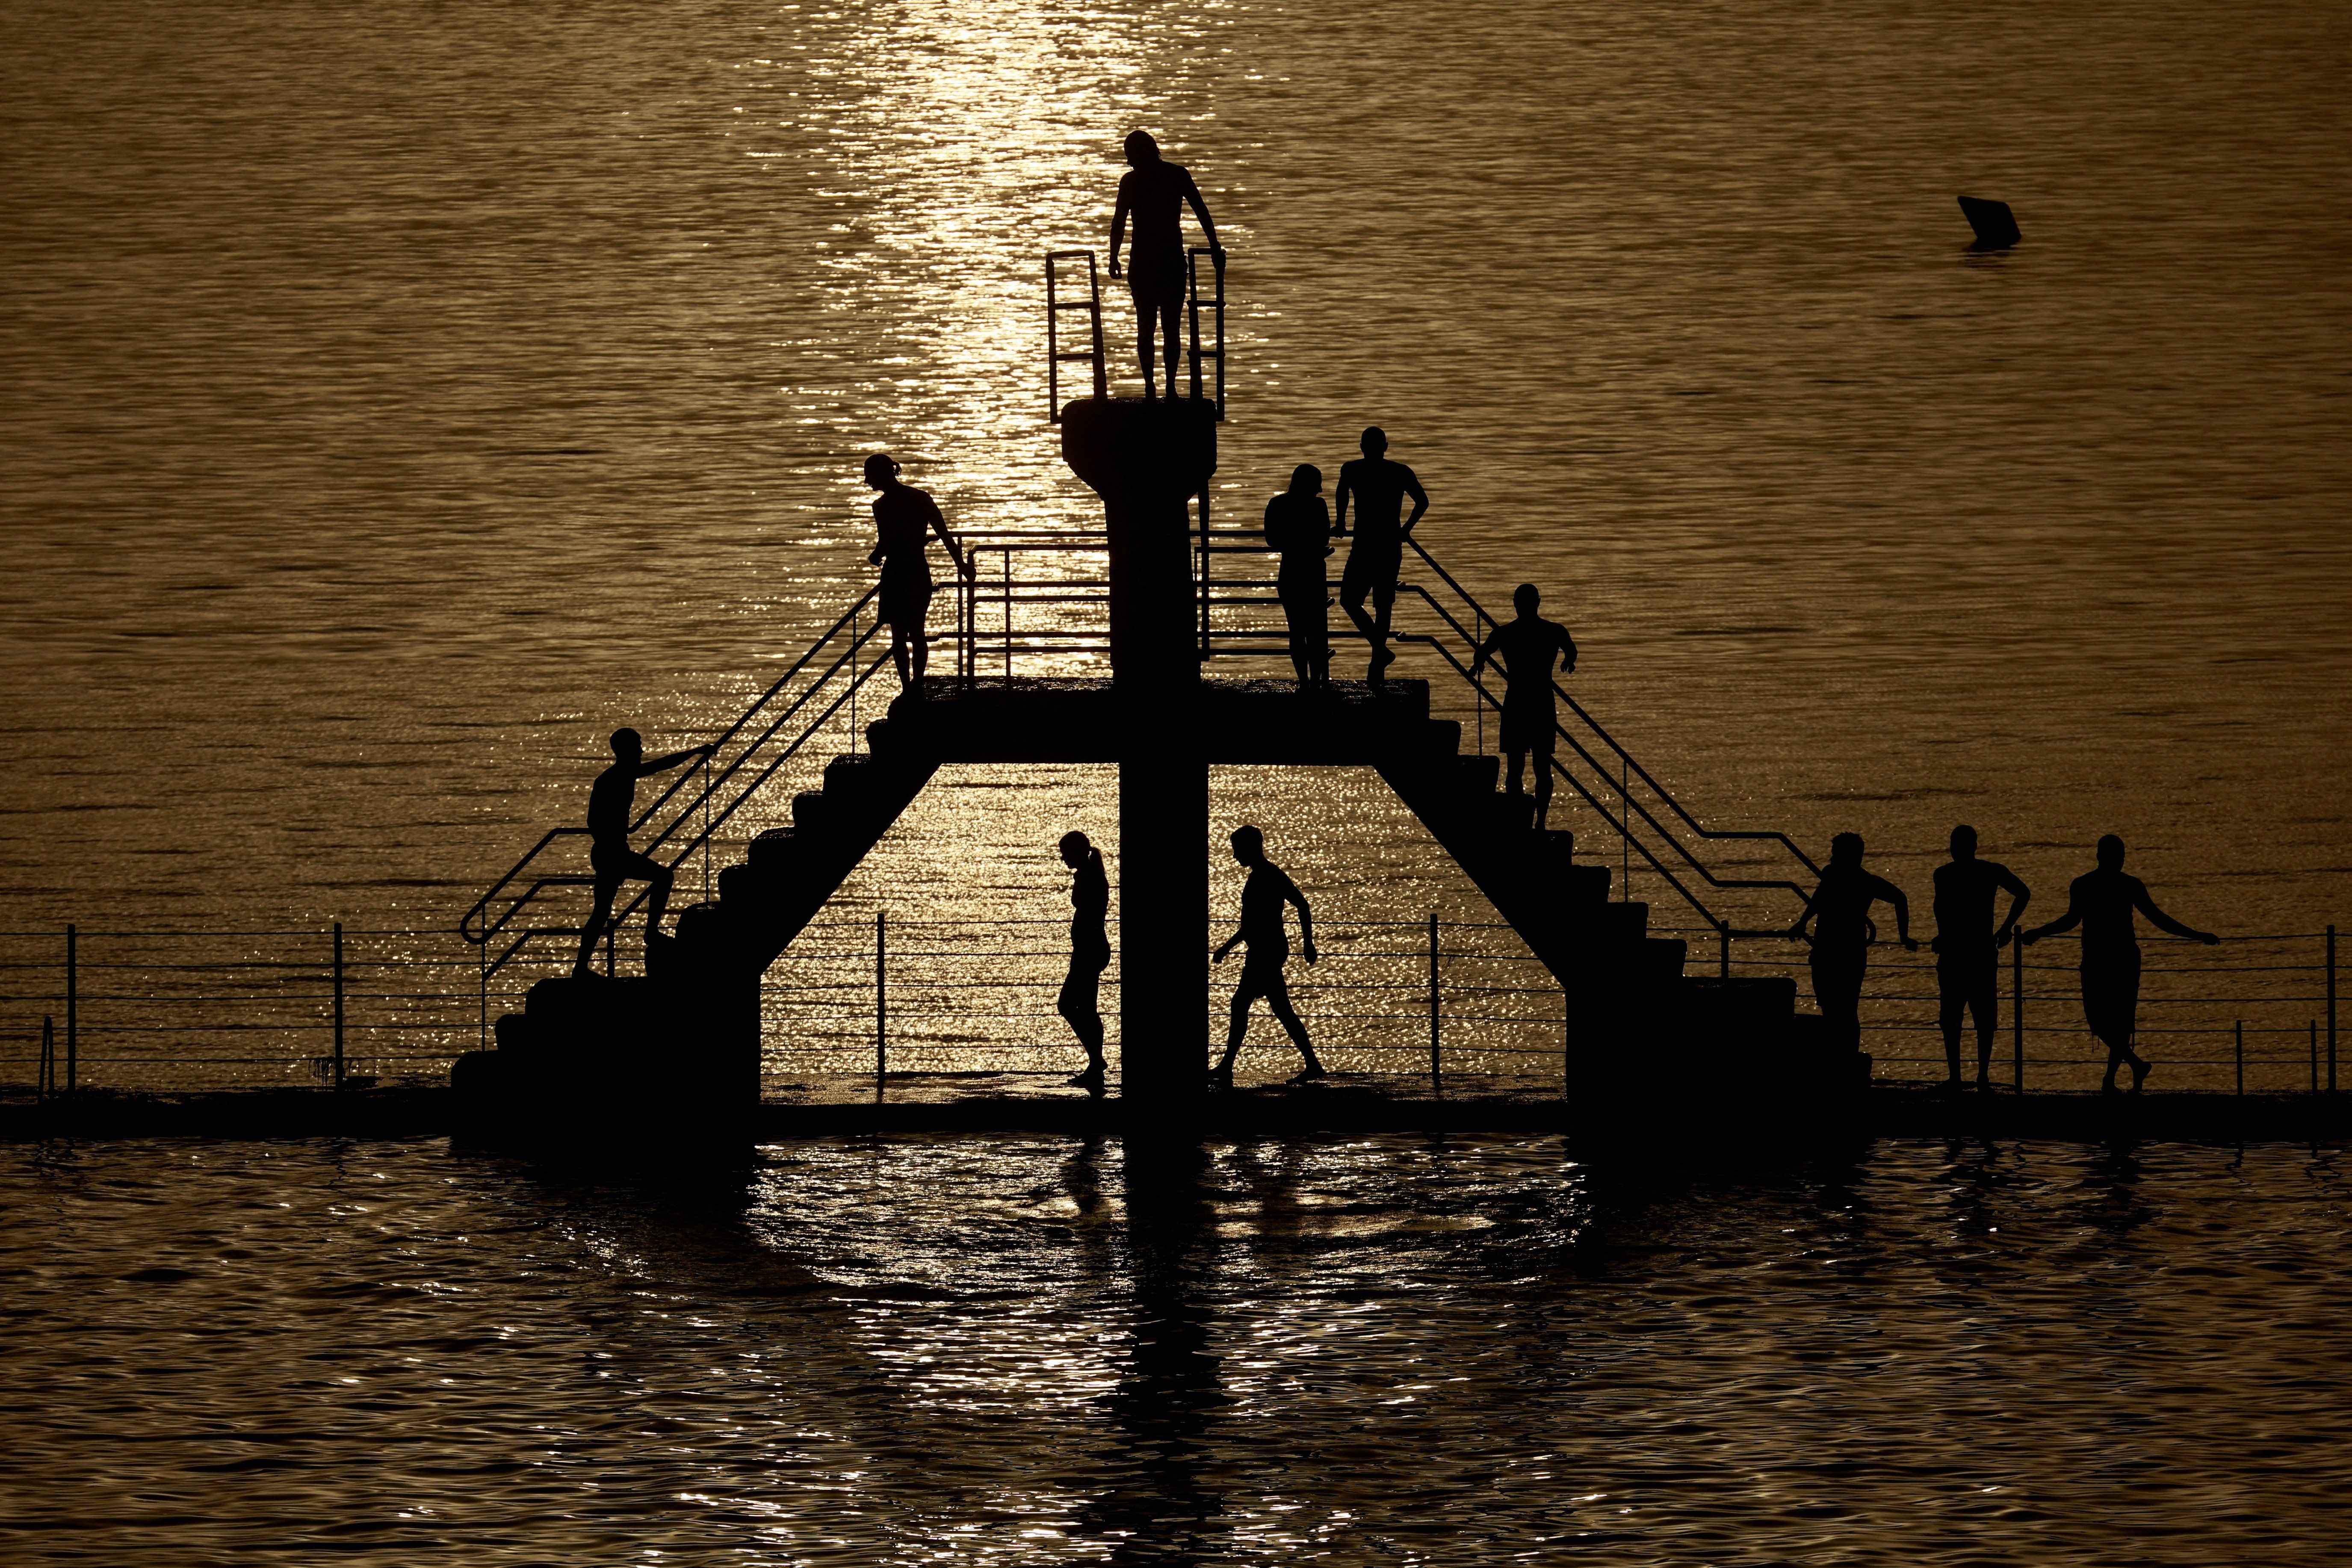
x=1147 y=462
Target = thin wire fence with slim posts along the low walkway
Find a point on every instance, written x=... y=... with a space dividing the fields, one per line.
x=175 y=1012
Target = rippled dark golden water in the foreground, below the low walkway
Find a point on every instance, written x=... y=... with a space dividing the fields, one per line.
x=1382 y=1351
